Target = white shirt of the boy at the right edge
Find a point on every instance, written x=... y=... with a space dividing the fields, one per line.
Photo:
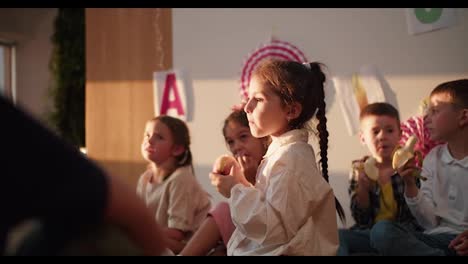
x=441 y=205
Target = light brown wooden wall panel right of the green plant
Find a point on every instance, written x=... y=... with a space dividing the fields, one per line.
x=123 y=49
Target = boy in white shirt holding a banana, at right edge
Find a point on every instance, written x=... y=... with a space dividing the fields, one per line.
x=441 y=205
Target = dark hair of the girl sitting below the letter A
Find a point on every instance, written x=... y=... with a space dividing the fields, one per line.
x=181 y=136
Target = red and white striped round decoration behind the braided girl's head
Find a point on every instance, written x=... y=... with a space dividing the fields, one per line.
x=274 y=49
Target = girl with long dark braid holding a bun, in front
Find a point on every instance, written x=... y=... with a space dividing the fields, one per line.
x=291 y=208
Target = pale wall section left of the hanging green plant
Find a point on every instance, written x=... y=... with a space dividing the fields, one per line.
x=31 y=30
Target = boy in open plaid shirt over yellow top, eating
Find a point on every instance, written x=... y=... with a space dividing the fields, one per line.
x=376 y=200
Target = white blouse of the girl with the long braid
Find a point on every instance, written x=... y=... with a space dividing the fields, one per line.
x=291 y=209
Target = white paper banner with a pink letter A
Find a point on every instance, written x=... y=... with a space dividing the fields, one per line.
x=173 y=94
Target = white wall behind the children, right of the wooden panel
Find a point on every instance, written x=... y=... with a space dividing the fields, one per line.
x=213 y=43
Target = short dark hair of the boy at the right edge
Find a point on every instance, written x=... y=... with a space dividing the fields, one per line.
x=457 y=89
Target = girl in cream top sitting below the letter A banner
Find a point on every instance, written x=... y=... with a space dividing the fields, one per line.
x=169 y=187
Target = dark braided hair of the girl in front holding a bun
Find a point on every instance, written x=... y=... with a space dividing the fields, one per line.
x=295 y=82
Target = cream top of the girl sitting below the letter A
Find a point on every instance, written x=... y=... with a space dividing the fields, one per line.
x=178 y=202
